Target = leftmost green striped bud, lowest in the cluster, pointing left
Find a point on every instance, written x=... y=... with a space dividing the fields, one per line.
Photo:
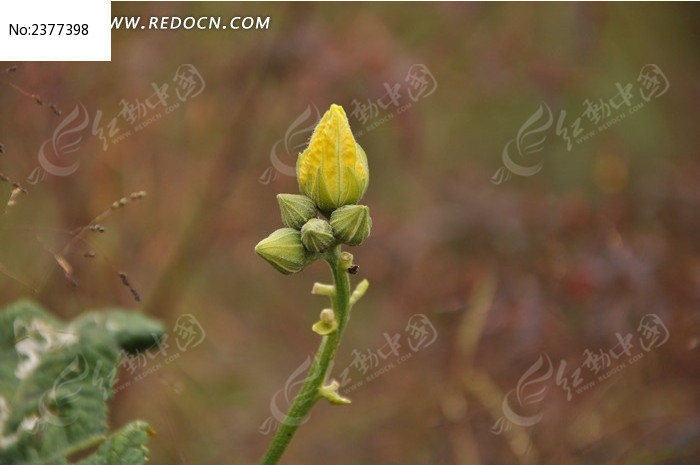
x=284 y=251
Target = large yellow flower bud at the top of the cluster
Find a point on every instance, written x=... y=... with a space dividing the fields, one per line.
x=333 y=171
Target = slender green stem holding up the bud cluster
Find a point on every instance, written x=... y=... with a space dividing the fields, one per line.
x=309 y=392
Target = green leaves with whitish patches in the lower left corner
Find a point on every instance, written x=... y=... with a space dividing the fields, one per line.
x=56 y=380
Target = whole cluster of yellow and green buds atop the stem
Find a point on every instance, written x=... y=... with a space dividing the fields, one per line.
x=333 y=176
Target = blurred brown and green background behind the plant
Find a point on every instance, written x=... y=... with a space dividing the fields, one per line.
x=534 y=190
